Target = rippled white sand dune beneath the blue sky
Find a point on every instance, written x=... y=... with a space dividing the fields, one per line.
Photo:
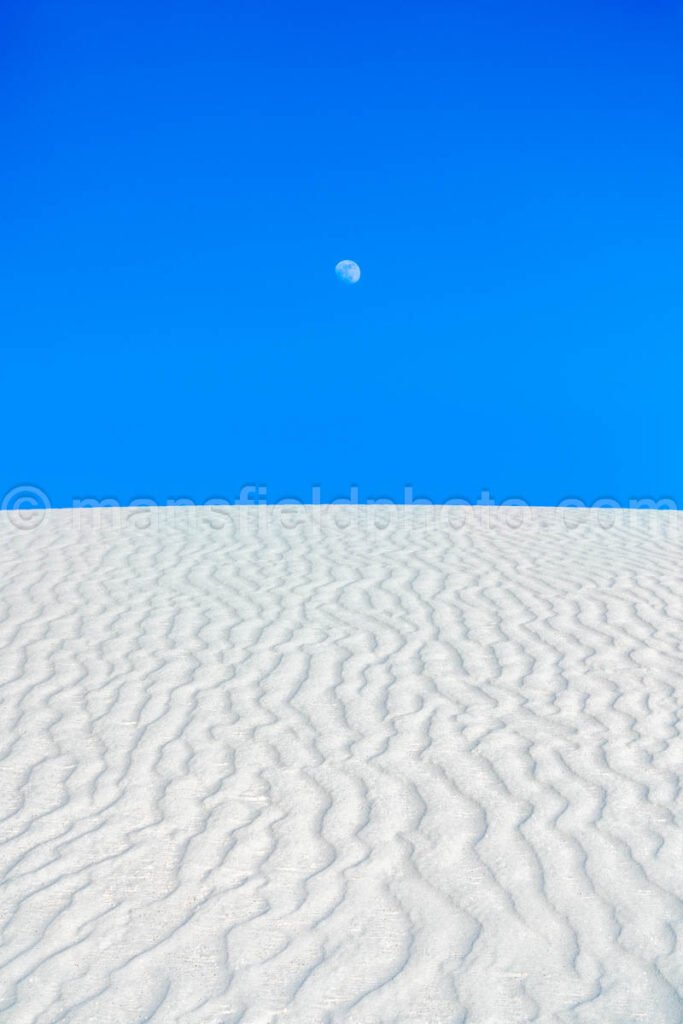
x=295 y=767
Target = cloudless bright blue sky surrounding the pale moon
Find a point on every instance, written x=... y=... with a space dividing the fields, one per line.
x=180 y=180
